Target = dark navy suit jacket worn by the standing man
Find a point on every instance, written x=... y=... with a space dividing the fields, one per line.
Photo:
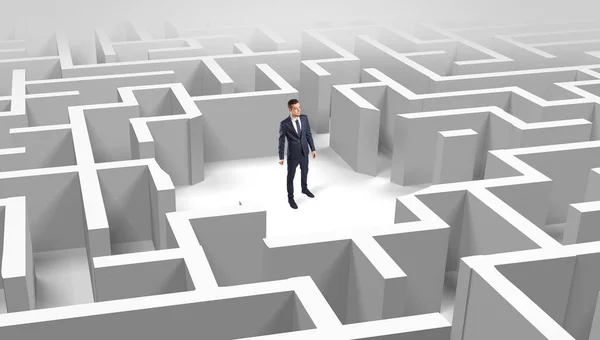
x=295 y=143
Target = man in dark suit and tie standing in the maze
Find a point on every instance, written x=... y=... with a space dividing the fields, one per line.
x=296 y=129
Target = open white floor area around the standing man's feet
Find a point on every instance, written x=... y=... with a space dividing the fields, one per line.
x=346 y=199
